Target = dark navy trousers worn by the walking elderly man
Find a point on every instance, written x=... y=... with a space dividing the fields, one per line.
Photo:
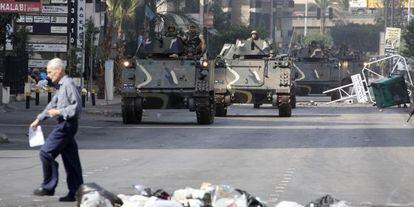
x=61 y=141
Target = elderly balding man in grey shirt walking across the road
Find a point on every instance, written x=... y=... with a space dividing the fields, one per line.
x=66 y=107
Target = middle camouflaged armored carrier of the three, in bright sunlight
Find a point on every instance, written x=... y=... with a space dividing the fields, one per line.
x=246 y=72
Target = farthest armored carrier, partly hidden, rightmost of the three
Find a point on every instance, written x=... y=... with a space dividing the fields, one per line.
x=315 y=71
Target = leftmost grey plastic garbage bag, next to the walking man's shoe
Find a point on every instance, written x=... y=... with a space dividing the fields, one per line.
x=93 y=189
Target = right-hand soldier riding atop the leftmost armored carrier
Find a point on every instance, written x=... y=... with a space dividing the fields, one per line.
x=195 y=42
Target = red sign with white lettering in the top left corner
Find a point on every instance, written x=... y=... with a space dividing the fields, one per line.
x=20 y=7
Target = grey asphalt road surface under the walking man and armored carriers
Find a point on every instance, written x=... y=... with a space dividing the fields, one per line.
x=355 y=153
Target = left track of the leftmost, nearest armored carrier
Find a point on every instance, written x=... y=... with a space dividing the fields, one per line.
x=131 y=110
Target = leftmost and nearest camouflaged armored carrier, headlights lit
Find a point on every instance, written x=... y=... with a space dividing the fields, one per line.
x=163 y=77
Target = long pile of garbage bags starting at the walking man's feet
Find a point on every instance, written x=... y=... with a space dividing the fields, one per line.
x=93 y=195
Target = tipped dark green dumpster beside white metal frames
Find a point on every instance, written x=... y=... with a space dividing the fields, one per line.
x=390 y=91
